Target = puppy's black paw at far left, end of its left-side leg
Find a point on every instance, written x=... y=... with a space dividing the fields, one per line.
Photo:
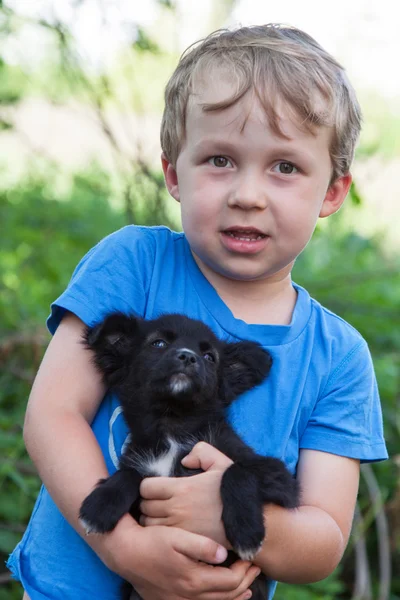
x=100 y=510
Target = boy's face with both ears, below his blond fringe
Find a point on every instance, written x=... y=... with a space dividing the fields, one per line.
x=250 y=199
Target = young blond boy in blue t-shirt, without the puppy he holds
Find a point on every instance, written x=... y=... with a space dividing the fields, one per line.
x=258 y=136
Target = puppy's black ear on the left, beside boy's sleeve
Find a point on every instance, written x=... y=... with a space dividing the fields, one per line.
x=112 y=342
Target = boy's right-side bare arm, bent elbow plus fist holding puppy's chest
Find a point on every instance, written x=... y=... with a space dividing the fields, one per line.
x=301 y=545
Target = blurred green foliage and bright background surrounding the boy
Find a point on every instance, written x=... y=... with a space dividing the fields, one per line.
x=79 y=159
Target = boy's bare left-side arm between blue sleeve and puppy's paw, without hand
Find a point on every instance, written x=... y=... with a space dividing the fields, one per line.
x=63 y=402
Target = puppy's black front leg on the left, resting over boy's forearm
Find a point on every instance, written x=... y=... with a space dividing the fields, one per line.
x=109 y=501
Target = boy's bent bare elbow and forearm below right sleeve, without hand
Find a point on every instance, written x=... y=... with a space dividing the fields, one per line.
x=306 y=544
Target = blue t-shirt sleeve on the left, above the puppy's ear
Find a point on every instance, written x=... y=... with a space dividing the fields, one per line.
x=112 y=276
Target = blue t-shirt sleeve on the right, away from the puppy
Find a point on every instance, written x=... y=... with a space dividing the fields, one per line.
x=347 y=418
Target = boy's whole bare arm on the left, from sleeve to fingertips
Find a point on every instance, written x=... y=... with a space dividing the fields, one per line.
x=63 y=402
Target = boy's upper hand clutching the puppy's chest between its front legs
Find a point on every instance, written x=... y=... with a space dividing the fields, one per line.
x=190 y=503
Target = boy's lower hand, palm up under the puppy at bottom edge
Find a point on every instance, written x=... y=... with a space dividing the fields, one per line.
x=164 y=563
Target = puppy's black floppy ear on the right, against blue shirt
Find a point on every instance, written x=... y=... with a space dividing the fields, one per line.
x=244 y=365
